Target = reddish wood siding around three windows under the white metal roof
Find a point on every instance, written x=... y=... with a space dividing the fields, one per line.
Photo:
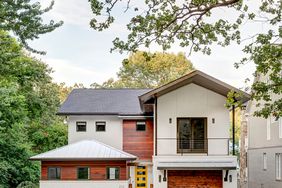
x=97 y=169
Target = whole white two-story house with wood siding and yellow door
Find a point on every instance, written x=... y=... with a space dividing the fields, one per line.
x=174 y=136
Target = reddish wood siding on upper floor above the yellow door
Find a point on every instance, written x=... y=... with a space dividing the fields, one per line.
x=138 y=143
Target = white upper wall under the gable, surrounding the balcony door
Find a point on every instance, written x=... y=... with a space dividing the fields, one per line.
x=192 y=101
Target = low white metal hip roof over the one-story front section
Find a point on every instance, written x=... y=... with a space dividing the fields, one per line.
x=84 y=150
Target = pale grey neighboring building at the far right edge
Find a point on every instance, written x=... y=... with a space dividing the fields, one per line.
x=264 y=147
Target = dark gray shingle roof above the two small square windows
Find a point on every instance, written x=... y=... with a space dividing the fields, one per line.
x=103 y=101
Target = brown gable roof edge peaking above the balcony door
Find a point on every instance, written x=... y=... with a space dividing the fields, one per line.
x=196 y=77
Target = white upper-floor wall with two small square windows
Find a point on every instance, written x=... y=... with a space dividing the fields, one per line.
x=112 y=136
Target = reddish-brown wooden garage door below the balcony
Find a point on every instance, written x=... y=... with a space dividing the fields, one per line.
x=194 y=179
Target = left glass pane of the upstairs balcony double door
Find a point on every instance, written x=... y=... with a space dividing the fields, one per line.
x=184 y=133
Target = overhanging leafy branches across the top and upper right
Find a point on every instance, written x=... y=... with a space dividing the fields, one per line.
x=188 y=23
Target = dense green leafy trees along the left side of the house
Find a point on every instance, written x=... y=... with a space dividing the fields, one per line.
x=28 y=104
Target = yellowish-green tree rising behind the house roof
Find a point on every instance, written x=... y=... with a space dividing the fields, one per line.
x=149 y=70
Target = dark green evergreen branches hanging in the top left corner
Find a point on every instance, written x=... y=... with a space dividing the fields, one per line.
x=23 y=18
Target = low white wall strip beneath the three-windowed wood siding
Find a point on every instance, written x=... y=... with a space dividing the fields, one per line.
x=84 y=184
